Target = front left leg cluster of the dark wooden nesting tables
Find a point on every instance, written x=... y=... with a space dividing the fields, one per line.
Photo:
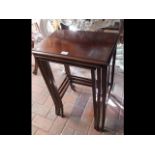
x=49 y=79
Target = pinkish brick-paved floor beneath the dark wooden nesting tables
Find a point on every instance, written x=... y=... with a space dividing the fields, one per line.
x=78 y=108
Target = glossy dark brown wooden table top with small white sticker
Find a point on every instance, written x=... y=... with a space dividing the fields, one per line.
x=95 y=47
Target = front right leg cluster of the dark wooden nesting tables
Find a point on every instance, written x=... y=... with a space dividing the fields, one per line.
x=99 y=97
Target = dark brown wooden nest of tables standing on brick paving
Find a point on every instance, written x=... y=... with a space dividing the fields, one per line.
x=91 y=50
